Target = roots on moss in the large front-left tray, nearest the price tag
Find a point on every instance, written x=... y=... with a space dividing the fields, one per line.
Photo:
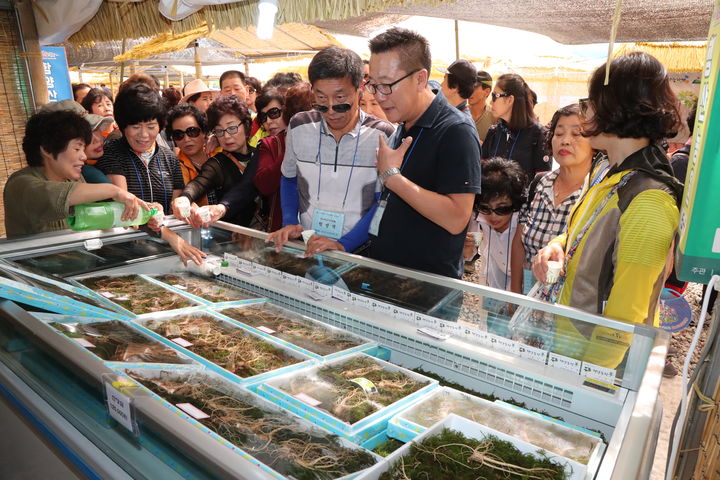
x=272 y=437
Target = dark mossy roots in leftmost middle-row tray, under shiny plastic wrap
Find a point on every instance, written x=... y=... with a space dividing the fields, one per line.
x=117 y=342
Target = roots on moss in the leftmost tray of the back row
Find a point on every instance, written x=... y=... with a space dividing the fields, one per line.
x=136 y=294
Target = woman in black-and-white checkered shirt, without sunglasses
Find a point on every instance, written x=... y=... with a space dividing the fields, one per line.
x=552 y=196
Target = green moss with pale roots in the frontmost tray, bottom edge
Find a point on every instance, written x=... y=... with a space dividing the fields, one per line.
x=451 y=455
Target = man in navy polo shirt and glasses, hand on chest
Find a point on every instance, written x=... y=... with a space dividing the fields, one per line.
x=432 y=175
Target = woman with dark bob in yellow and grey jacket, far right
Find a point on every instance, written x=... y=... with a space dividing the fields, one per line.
x=619 y=238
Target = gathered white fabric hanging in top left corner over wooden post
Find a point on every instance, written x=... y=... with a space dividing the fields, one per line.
x=58 y=19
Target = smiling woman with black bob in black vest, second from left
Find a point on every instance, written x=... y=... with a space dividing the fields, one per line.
x=136 y=161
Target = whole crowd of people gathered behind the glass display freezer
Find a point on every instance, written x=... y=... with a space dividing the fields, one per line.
x=375 y=158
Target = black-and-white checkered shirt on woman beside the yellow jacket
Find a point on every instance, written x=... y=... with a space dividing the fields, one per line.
x=541 y=220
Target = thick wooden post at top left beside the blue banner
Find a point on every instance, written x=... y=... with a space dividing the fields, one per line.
x=30 y=45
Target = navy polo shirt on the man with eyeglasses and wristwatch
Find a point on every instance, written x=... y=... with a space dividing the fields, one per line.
x=444 y=158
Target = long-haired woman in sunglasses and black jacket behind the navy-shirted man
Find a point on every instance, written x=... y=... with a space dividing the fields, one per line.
x=517 y=135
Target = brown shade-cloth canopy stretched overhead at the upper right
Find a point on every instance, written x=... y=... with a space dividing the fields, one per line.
x=565 y=21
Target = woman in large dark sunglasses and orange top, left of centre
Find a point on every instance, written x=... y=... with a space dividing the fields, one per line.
x=187 y=127
